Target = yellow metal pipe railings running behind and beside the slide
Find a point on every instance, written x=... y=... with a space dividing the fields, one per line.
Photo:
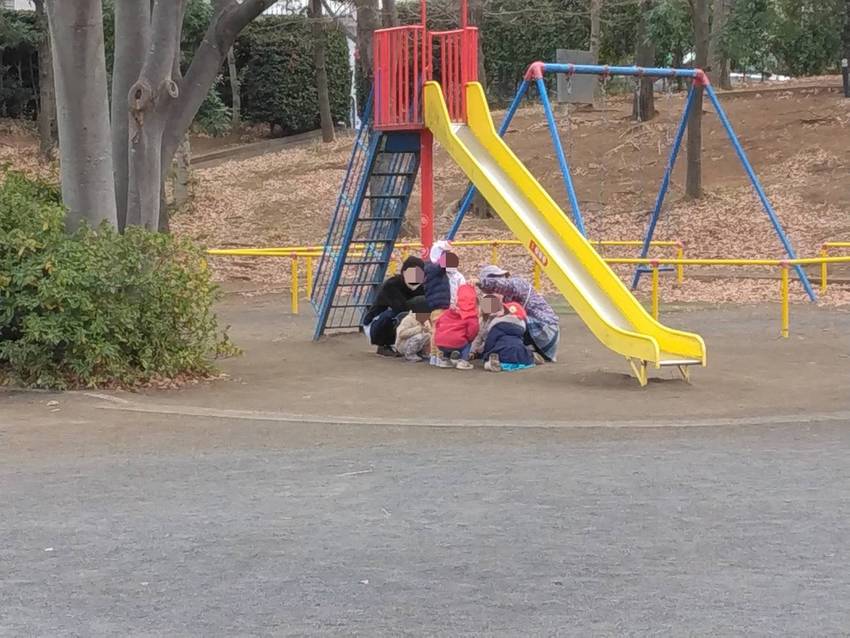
x=309 y=253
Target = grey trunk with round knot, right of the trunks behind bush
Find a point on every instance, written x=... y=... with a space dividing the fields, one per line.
x=151 y=98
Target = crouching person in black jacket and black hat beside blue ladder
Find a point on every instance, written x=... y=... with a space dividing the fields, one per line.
x=394 y=297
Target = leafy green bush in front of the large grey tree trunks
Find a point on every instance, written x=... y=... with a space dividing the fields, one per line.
x=96 y=307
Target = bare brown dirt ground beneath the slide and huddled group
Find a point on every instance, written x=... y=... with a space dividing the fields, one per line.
x=284 y=376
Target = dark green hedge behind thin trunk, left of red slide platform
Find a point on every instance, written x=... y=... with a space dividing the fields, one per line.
x=275 y=58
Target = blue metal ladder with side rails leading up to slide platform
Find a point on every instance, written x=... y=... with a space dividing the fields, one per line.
x=364 y=227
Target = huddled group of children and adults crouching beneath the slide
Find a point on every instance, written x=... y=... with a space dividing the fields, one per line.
x=430 y=313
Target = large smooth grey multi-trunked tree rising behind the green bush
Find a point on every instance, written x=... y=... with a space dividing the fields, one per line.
x=159 y=105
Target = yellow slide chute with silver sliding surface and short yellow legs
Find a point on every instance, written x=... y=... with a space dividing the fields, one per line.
x=599 y=297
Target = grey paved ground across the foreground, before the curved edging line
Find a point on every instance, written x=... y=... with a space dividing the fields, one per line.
x=196 y=527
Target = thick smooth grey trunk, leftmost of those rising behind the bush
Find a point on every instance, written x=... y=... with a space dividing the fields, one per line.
x=85 y=151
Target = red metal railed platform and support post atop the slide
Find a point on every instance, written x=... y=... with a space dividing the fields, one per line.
x=403 y=62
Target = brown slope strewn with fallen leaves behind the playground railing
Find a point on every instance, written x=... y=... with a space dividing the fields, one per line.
x=796 y=139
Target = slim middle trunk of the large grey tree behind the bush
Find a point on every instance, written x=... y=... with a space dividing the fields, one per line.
x=132 y=36
